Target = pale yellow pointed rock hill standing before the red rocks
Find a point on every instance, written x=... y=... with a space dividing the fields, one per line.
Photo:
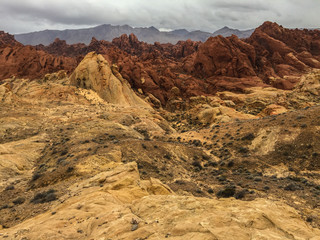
x=95 y=73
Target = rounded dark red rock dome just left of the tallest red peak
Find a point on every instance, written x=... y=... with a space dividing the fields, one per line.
x=226 y=64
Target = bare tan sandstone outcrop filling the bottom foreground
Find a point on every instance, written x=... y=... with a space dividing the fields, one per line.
x=117 y=204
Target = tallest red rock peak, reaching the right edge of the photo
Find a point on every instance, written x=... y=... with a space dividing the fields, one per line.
x=284 y=52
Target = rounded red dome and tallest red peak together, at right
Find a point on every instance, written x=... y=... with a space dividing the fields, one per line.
x=272 y=53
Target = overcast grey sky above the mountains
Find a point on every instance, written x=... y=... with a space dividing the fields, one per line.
x=19 y=16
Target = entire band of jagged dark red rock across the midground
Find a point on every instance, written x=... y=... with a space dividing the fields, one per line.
x=273 y=56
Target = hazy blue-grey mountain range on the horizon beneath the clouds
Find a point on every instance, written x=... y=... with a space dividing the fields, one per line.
x=108 y=32
